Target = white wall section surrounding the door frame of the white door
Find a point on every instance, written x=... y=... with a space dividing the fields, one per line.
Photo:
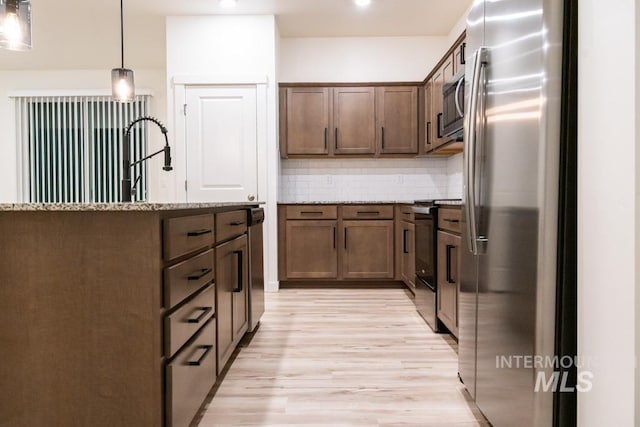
x=229 y=49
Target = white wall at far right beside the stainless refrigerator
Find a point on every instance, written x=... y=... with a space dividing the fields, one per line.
x=607 y=219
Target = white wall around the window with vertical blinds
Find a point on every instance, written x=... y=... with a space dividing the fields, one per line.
x=64 y=81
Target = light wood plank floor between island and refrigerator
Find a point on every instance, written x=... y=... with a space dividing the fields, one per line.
x=356 y=357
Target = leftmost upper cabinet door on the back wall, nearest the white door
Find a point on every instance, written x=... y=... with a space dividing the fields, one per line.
x=307 y=121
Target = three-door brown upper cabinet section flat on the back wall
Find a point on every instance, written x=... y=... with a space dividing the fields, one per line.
x=359 y=121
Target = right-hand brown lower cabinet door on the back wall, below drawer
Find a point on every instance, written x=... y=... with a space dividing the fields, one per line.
x=368 y=250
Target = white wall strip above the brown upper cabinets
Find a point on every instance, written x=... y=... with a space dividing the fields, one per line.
x=359 y=59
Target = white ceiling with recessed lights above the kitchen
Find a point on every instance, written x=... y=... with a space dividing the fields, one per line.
x=84 y=34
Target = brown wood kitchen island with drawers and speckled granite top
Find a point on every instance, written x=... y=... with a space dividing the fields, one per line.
x=117 y=314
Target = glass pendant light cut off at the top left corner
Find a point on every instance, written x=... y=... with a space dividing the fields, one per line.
x=15 y=24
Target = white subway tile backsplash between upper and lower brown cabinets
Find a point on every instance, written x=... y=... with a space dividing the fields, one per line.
x=305 y=180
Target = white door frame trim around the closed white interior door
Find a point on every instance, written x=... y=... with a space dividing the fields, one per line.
x=181 y=84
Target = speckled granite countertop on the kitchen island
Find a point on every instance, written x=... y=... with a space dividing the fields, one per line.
x=111 y=207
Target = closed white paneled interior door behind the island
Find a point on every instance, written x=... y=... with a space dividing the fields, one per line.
x=221 y=144
